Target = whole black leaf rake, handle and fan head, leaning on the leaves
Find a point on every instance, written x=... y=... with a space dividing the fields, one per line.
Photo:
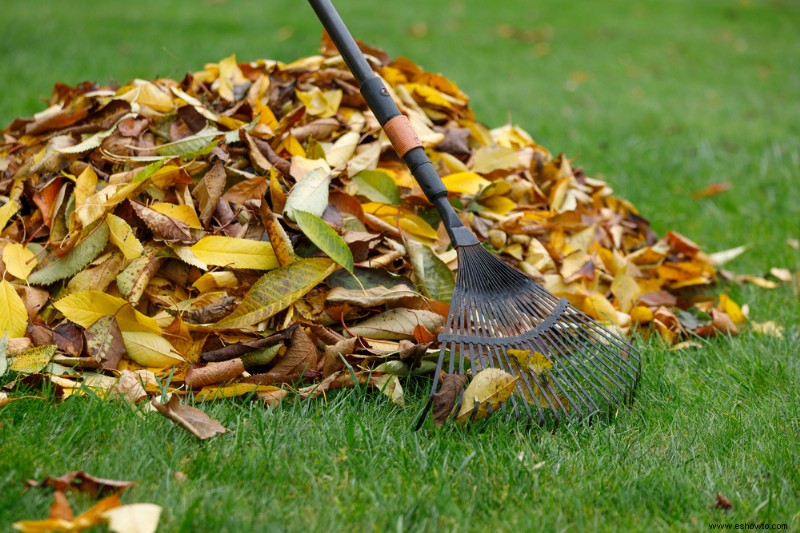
x=566 y=366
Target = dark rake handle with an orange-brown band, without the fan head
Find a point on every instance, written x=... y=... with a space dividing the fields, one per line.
x=394 y=123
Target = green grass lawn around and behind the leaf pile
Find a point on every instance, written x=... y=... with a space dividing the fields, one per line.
x=677 y=94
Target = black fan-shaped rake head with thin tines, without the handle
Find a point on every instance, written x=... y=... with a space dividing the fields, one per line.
x=566 y=365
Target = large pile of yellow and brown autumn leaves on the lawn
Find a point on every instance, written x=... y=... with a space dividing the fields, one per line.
x=249 y=230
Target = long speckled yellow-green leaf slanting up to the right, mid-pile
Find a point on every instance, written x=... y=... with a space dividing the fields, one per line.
x=276 y=290
